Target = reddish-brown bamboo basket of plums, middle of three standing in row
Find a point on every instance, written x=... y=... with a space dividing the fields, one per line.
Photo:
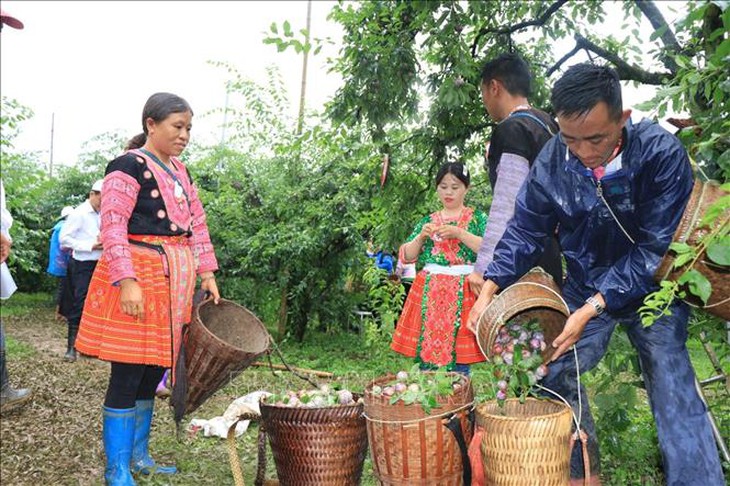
x=409 y=446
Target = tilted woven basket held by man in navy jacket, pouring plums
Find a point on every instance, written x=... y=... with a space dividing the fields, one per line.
x=534 y=296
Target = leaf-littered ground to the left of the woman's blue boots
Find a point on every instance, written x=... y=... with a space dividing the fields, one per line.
x=54 y=439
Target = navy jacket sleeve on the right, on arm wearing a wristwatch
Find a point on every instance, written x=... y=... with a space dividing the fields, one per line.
x=662 y=189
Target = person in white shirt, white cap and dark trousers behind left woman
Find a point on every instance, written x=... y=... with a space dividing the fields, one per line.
x=81 y=234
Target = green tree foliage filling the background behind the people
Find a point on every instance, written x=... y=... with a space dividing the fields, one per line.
x=290 y=213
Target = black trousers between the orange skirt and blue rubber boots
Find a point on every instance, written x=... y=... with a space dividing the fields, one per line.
x=131 y=382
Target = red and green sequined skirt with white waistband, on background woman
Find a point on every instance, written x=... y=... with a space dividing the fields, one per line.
x=432 y=327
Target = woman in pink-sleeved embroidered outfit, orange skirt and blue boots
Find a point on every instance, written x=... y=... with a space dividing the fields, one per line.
x=155 y=240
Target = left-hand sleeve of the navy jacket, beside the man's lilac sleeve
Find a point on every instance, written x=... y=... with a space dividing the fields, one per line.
x=523 y=241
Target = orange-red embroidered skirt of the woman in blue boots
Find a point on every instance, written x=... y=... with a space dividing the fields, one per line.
x=167 y=278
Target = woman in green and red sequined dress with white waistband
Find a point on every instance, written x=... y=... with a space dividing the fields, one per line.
x=432 y=326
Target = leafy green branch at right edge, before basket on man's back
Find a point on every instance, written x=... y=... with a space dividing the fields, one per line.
x=715 y=245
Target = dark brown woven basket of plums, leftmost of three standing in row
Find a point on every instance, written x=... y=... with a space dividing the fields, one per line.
x=316 y=446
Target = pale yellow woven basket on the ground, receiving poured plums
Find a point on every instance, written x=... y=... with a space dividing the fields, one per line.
x=526 y=444
